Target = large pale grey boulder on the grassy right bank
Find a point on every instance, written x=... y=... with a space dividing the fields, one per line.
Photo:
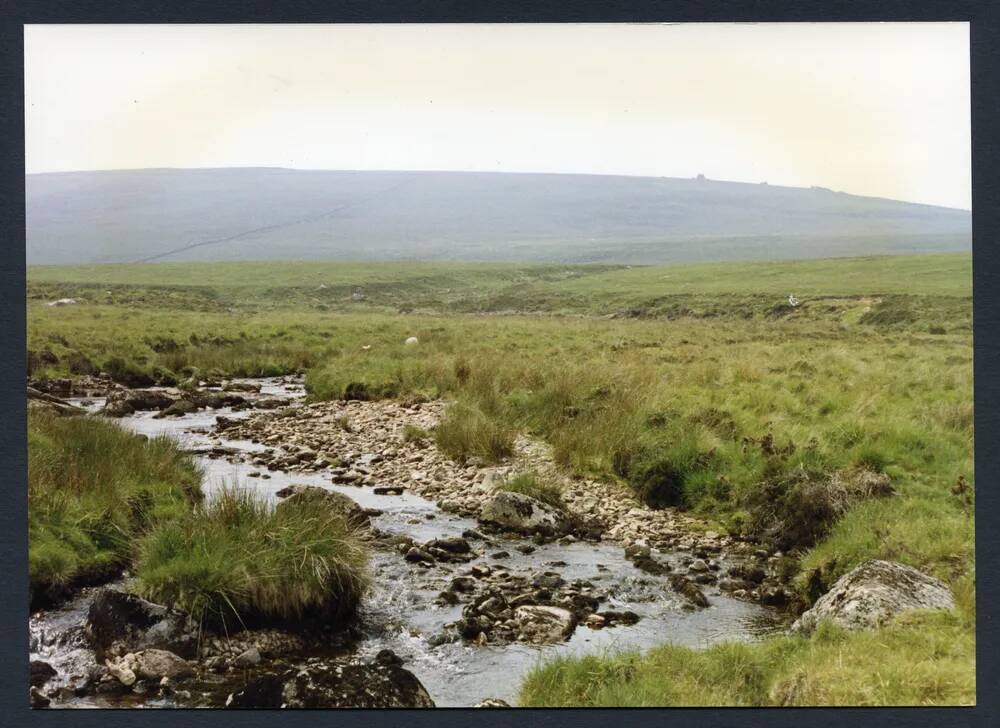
x=874 y=592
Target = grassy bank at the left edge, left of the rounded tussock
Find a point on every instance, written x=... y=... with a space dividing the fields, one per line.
x=93 y=487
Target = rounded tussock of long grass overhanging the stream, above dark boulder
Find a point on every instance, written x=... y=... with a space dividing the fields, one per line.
x=235 y=560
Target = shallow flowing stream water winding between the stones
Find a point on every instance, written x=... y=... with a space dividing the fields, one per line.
x=399 y=612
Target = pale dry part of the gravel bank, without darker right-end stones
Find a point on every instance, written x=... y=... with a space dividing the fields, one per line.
x=362 y=443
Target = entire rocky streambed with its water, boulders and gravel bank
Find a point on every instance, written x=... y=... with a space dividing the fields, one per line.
x=471 y=586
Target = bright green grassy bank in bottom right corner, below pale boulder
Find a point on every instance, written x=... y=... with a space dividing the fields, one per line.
x=919 y=659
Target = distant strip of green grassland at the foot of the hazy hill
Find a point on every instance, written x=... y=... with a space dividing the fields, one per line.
x=488 y=287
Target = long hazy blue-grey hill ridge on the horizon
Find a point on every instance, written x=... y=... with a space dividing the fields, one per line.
x=282 y=214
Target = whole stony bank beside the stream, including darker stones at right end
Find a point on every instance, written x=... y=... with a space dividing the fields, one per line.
x=363 y=443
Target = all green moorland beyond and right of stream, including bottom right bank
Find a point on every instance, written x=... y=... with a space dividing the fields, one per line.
x=698 y=385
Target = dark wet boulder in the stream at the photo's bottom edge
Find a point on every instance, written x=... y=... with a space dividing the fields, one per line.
x=335 y=686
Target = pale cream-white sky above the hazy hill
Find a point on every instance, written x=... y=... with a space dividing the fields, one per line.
x=874 y=109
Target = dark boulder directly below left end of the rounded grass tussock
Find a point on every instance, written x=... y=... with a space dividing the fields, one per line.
x=119 y=622
